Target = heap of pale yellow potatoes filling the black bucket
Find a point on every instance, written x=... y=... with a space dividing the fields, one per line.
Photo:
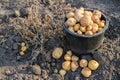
x=84 y=22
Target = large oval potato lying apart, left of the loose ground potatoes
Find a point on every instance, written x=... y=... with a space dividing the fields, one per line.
x=57 y=53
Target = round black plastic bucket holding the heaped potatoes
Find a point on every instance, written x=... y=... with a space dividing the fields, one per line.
x=85 y=44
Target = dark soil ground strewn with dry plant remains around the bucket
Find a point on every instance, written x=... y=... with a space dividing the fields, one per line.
x=38 y=23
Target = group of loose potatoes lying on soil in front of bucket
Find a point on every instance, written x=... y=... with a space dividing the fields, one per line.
x=72 y=62
